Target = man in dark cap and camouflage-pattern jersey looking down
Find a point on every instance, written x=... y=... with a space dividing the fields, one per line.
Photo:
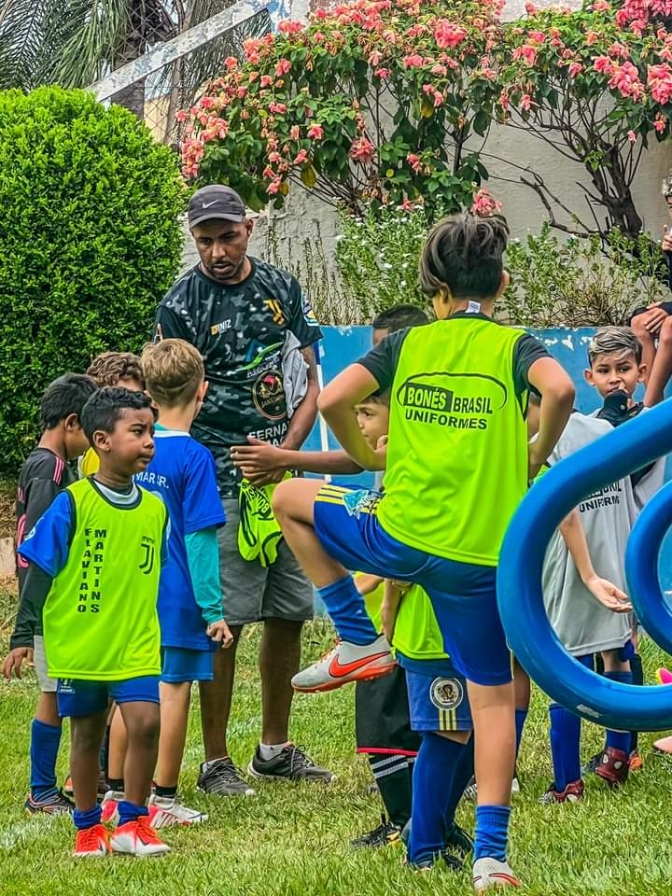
x=241 y=314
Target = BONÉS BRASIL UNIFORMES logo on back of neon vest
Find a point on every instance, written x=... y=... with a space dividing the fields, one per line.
x=459 y=401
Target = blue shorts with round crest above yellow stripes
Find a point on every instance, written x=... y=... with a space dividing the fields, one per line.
x=438 y=702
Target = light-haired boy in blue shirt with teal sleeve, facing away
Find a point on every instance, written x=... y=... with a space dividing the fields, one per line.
x=183 y=473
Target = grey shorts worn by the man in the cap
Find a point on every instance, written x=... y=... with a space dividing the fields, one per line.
x=252 y=592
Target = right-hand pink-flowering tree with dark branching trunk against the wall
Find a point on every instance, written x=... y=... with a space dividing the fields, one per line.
x=594 y=85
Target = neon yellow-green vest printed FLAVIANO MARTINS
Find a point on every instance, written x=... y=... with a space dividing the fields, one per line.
x=100 y=618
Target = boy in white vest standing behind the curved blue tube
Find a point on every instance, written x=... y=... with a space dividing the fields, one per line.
x=583 y=625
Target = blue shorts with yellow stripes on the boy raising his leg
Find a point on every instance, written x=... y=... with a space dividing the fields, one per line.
x=463 y=595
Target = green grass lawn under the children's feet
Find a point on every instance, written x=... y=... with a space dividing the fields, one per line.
x=293 y=840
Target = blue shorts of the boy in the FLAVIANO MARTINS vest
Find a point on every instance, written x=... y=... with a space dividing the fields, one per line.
x=88 y=698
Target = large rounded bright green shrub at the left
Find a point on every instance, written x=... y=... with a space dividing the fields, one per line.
x=89 y=242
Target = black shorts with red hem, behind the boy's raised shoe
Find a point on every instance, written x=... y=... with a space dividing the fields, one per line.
x=382 y=717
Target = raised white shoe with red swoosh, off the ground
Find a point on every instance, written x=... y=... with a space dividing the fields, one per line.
x=346 y=662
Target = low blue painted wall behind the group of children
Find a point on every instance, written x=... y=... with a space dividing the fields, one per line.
x=343 y=345
